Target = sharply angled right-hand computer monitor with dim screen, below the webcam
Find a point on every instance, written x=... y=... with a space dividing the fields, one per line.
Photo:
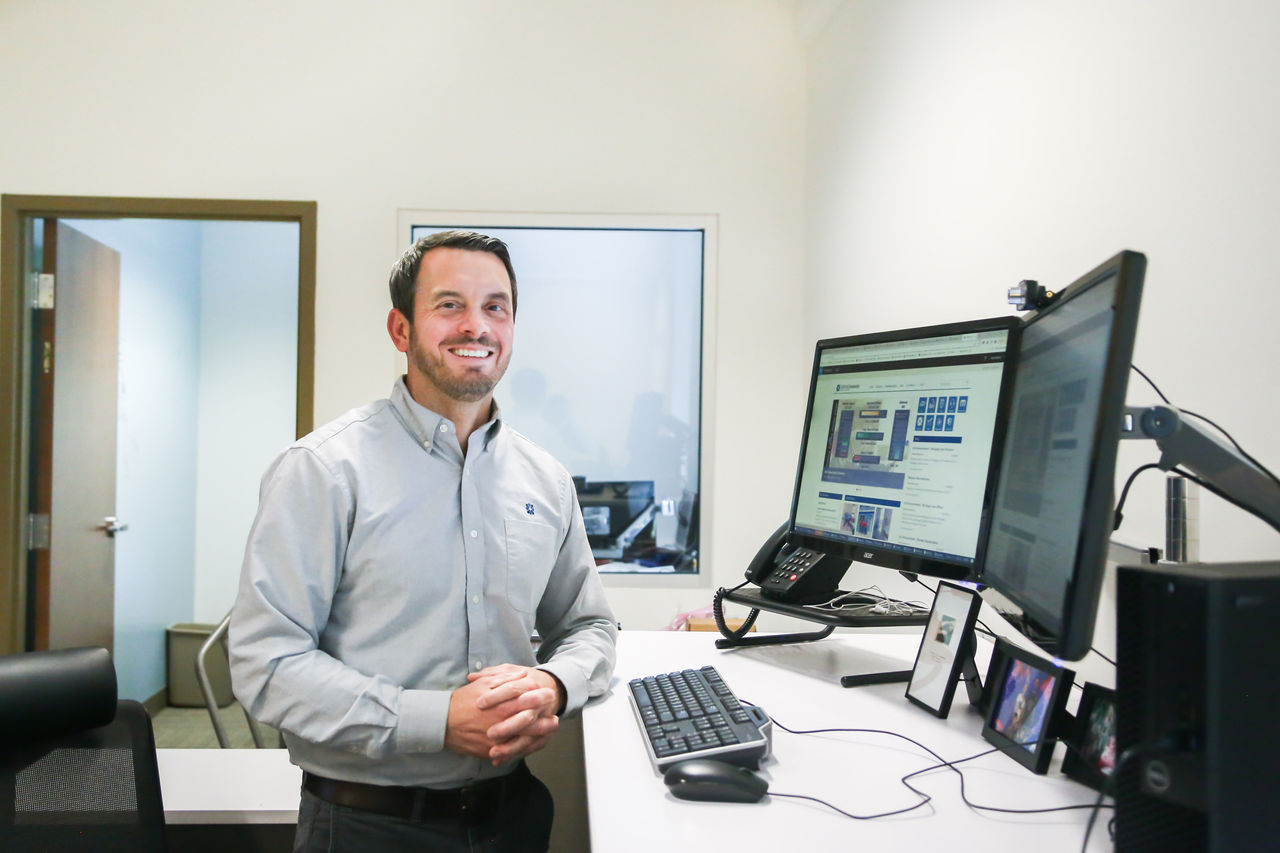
x=1053 y=518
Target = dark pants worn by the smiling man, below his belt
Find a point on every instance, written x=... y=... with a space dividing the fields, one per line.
x=523 y=824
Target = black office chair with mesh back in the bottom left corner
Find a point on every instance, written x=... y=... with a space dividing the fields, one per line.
x=77 y=768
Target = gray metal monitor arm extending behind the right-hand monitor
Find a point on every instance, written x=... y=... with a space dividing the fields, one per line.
x=1220 y=468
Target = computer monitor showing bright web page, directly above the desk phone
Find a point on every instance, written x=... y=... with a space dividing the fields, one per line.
x=900 y=437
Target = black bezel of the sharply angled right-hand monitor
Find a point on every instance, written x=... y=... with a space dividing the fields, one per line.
x=1072 y=637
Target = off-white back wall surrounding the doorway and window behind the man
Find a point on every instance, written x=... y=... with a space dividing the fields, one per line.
x=568 y=106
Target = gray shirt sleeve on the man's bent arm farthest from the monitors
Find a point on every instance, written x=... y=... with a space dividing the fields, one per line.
x=280 y=673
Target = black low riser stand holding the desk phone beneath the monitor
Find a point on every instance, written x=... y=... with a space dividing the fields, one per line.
x=830 y=618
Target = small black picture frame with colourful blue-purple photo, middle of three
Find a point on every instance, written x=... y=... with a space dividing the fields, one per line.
x=1026 y=699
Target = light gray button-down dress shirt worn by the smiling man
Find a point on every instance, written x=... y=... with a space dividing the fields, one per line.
x=383 y=565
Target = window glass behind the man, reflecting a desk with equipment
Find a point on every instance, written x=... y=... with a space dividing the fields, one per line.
x=606 y=375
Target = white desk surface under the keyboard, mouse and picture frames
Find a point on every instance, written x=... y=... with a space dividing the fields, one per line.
x=632 y=810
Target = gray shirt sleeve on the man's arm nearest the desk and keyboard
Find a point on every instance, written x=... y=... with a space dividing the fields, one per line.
x=574 y=618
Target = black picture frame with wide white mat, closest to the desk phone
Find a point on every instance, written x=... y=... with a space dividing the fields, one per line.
x=947 y=642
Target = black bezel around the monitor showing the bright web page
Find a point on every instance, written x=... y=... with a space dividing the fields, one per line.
x=889 y=558
